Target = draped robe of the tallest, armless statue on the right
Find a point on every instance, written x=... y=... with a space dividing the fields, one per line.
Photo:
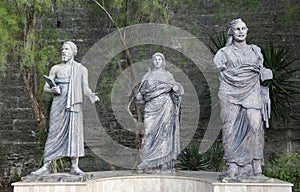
x=244 y=103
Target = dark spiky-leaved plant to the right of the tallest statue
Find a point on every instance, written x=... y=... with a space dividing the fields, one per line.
x=282 y=86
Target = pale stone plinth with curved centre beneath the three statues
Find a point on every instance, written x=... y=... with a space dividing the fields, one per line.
x=126 y=181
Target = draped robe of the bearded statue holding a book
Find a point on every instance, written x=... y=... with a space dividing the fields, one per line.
x=65 y=137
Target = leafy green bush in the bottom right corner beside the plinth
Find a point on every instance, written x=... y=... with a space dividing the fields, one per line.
x=286 y=167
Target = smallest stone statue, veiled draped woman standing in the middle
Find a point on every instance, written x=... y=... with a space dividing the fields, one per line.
x=161 y=96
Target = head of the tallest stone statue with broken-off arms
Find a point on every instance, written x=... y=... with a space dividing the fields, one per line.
x=237 y=31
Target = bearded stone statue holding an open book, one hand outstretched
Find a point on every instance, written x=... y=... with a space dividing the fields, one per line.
x=67 y=81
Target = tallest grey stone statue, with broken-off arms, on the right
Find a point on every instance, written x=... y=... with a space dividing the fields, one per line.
x=245 y=104
